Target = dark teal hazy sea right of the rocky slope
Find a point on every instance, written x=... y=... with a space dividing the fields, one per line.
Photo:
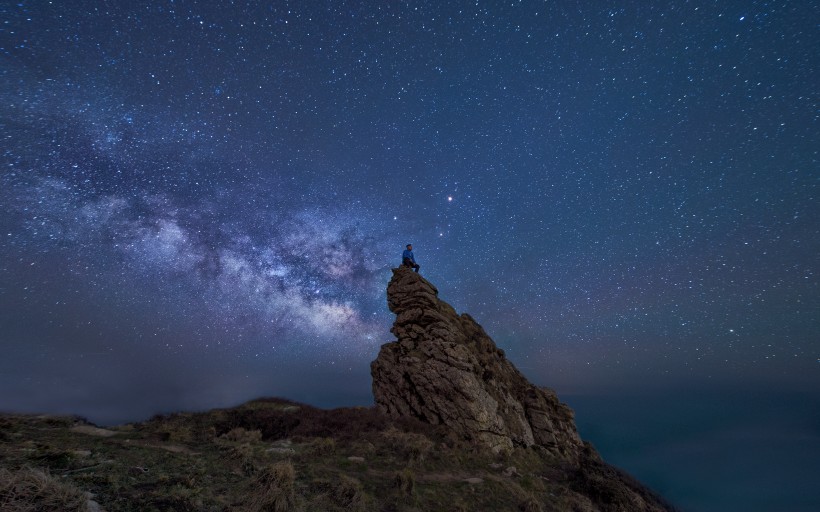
x=712 y=451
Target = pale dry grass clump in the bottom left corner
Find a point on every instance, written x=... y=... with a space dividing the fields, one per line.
x=35 y=490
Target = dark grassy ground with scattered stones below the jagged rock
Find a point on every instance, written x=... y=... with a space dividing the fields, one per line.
x=277 y=455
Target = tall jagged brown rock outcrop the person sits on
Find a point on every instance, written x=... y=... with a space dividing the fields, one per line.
x=444 y=369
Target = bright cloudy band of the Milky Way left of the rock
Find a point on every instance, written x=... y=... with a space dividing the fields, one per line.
x=308 y=273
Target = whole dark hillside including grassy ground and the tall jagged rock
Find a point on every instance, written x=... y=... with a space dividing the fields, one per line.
x=456 y=427
